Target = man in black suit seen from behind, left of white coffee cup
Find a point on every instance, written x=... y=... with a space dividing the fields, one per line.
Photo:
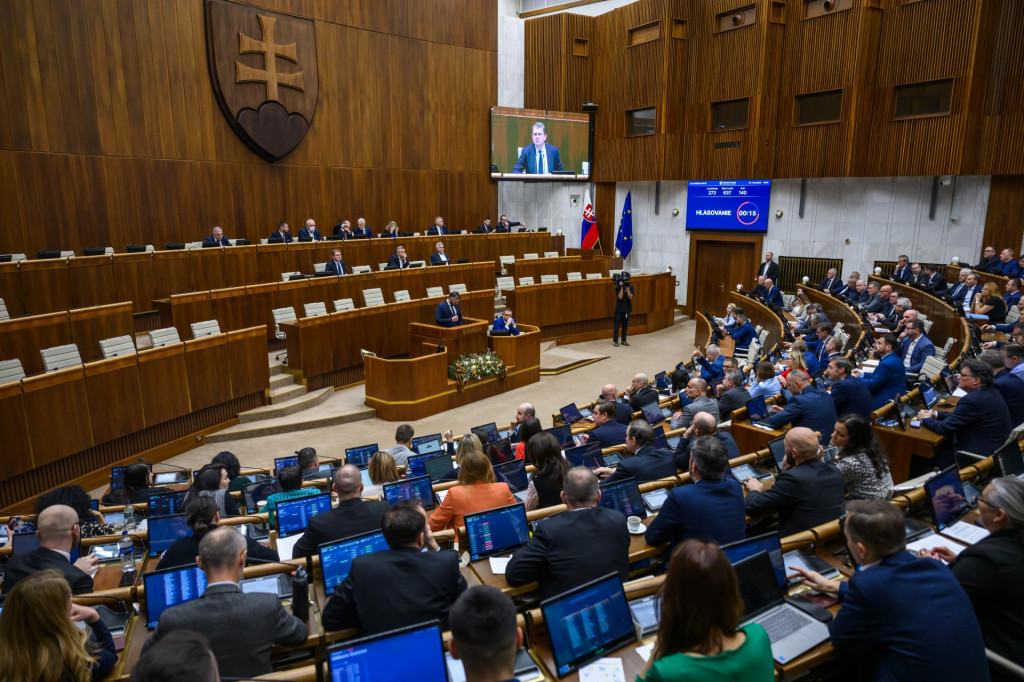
x=576 y=547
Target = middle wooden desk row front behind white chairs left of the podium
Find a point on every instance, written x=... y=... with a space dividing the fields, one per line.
x=239 y=308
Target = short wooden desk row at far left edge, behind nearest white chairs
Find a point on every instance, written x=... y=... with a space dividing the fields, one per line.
x=23 y=338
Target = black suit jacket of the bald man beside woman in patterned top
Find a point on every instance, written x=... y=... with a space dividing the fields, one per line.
x=804 y=497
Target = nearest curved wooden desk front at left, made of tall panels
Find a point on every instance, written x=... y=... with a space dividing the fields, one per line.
x=67 y=424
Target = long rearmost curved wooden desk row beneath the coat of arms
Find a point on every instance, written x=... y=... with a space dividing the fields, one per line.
x=34 y=287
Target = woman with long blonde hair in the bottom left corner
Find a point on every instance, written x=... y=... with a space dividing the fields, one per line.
x=39 y=642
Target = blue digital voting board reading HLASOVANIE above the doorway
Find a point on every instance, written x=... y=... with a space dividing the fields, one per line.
x=729 y=205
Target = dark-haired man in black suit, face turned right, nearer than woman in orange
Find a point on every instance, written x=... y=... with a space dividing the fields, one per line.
x=404 y=585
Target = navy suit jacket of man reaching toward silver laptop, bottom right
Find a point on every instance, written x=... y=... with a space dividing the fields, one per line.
x=910 y=620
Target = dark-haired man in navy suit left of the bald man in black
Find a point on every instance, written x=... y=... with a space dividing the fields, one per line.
x=711 y=509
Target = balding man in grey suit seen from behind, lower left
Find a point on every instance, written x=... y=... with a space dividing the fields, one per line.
x=242 y=628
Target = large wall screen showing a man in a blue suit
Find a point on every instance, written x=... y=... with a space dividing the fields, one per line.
x=539 y=145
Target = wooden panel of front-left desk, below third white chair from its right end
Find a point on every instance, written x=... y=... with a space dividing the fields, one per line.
x=114 y=385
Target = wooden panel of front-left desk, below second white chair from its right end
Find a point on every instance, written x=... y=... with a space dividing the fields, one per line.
x=164 y=378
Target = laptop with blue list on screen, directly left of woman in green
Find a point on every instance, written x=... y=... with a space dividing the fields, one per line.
x=588 y=623
